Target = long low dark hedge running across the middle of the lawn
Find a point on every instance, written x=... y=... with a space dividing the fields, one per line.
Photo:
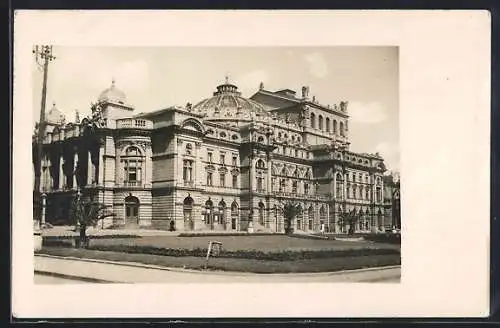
x=245 y=254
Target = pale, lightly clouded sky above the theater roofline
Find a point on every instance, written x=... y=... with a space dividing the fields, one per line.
x=158 y=77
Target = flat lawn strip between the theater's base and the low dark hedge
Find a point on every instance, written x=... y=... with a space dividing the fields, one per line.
x=236 y=243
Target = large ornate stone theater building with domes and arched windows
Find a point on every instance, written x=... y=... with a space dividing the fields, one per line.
x=224 y=163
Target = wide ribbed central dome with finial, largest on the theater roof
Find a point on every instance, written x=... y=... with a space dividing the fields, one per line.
x=228 y=104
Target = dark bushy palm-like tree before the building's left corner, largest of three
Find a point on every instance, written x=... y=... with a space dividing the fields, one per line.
x=86 y=213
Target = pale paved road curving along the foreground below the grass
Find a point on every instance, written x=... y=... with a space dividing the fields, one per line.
x=107 y=272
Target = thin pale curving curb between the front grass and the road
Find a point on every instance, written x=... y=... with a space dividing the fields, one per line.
x=157 y=267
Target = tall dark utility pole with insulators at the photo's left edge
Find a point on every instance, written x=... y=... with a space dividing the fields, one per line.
x=42 y=53
